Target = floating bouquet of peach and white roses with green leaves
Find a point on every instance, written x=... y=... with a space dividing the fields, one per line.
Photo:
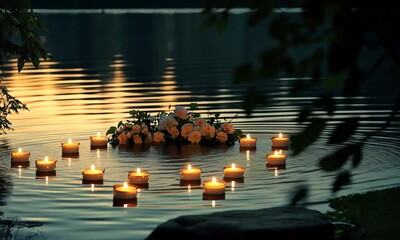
x=180 y=126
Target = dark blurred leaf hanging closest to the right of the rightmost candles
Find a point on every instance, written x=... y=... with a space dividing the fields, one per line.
x=309 y=135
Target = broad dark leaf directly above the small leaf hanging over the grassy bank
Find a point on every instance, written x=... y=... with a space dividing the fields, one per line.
x=337 y=159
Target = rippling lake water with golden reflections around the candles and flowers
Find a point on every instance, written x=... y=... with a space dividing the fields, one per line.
x=106 y=64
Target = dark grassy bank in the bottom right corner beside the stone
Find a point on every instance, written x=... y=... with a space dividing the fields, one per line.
x=375 y=215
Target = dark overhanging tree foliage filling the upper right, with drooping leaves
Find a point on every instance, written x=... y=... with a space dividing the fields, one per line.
x=336 y=35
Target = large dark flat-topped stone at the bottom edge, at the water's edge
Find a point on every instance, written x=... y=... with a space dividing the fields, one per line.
x=270 y=223
